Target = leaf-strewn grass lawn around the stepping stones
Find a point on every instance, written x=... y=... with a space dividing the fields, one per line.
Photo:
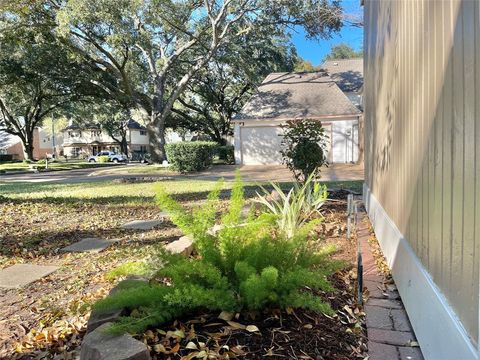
x=36 y=220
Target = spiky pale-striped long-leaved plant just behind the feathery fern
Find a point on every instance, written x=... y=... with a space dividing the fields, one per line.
x=297 y=207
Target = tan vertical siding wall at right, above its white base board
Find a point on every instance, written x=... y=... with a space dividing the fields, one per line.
x=422 y=143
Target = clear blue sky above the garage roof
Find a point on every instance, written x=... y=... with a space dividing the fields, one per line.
x=316 y=50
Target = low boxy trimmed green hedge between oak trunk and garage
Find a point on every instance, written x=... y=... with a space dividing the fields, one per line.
x=188 y=156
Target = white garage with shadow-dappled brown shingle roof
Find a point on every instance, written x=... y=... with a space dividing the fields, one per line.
x=290 y=96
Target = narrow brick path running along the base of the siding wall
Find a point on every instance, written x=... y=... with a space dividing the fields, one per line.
x=390 y=335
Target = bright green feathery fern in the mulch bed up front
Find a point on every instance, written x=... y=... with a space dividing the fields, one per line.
x=240 y=268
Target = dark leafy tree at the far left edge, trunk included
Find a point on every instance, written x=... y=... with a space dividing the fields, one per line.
x=37 y=77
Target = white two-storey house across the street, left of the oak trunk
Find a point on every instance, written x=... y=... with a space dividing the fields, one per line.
x=90 y=139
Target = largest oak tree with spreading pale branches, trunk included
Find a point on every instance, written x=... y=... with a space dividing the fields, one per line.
x=149 y=51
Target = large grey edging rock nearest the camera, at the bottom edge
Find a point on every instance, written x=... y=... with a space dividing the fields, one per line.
x=97 y=345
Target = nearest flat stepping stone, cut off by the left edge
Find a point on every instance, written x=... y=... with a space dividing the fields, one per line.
x=20 y=275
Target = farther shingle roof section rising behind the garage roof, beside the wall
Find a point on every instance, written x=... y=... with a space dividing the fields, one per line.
x=347 y=73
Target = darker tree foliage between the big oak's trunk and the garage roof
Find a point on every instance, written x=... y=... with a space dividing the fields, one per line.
x=222 y=87
